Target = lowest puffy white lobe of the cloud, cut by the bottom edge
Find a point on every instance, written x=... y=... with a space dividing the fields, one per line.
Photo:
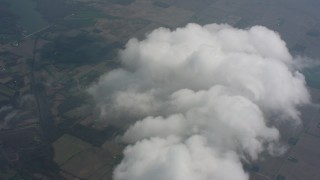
x=173 y=159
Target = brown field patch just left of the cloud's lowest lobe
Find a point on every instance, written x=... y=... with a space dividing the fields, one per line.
x=79 y=159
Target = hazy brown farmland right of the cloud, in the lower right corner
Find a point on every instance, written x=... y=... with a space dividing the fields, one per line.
x=306 y=151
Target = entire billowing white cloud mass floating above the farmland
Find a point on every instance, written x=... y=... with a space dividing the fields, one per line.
x=198 y=100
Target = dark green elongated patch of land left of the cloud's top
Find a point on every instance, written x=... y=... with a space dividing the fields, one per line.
x=78 y=50
